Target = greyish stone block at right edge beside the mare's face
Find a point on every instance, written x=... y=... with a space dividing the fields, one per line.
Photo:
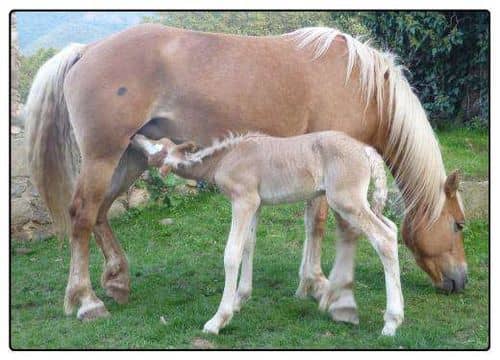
x=475 y=196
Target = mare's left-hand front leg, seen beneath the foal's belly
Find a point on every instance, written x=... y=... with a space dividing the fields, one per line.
x=312 y=280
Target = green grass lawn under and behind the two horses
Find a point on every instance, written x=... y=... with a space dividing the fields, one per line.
x=177 y=273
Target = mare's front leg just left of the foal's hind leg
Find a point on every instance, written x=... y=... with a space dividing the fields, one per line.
x=339 y=296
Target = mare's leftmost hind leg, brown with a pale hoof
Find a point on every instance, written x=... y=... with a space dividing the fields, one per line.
x=93 y=181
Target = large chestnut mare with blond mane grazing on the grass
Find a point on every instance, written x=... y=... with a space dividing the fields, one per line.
x=167 y=82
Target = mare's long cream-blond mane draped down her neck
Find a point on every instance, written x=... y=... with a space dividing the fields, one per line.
x=412 y=150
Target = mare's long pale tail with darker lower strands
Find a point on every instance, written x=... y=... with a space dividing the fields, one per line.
x=53 y=155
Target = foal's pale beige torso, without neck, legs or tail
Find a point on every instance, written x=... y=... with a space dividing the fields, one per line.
x=292 y=169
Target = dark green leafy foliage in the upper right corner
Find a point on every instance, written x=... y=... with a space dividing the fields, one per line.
x=447 y=55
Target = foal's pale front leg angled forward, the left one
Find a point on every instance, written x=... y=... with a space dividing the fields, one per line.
x=243 y=211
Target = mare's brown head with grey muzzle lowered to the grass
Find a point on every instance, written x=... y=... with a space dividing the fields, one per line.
x=439 y=249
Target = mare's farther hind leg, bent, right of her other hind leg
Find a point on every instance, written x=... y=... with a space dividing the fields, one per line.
x=115 y=277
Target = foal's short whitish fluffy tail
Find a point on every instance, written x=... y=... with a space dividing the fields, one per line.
x=379 y=177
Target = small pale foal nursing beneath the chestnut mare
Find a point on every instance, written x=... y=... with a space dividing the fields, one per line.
x=255 y=169
